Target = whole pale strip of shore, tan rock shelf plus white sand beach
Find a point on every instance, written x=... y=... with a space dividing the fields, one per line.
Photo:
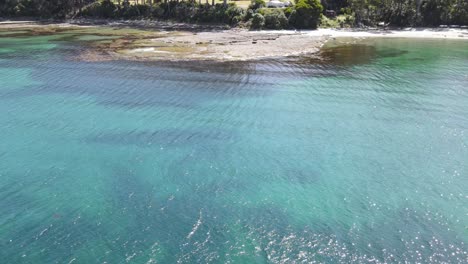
x=156 y=40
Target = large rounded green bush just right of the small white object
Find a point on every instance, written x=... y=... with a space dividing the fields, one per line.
x=306 y=14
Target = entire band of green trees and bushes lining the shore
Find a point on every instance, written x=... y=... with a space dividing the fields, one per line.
x=298 y=14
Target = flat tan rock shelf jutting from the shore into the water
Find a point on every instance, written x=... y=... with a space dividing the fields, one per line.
x=223 y=46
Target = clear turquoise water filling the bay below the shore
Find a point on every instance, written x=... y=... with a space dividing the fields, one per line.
x=359 y=157
